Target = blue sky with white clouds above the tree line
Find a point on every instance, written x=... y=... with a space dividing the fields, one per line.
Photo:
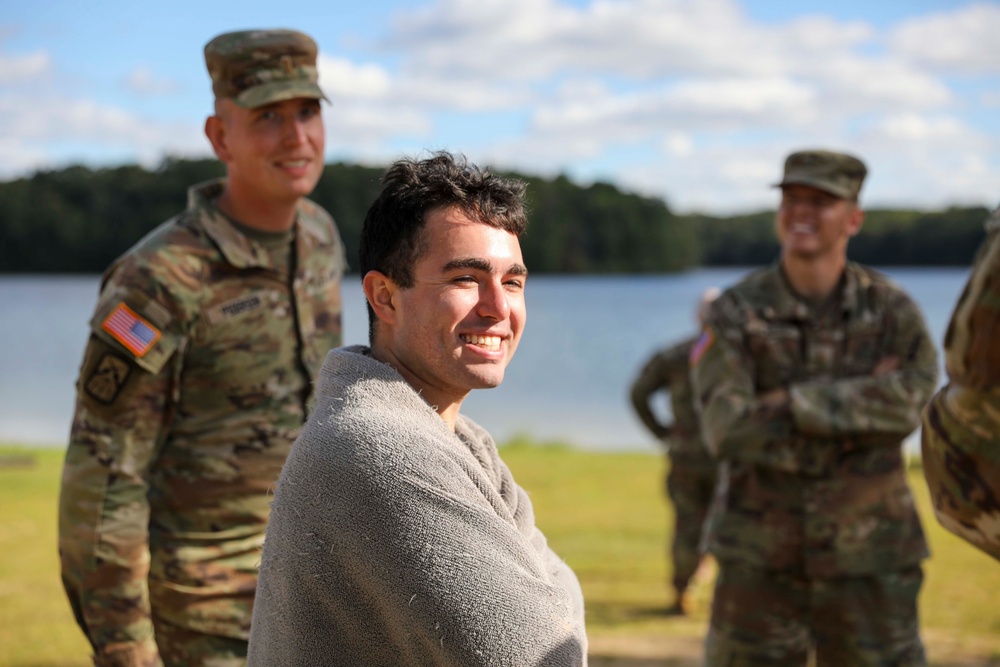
x=694 y=101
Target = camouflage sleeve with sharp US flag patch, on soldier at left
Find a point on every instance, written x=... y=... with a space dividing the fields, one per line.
x=122 y=410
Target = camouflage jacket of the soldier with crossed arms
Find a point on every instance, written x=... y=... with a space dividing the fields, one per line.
x=815 y=487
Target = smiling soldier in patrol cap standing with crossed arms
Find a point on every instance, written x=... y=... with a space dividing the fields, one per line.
x=809 y=374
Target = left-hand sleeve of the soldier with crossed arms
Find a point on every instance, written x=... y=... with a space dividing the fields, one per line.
x=734 y=422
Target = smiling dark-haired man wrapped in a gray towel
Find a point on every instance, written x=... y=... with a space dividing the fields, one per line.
x=398 y=536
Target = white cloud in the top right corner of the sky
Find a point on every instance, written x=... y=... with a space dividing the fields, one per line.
x=965 y=40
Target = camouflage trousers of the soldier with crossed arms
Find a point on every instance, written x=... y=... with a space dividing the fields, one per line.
x=777 y=619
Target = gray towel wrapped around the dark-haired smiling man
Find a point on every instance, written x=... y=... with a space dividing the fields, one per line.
x=395 y=541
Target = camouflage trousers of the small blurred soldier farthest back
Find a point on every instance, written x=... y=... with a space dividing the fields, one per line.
x=690 y=487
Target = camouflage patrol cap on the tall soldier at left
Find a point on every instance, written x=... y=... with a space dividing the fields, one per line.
x=258 y=67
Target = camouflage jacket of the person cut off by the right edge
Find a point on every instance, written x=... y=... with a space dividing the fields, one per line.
x=961 y=436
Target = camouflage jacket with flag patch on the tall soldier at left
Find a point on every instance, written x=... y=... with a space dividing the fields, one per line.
x=184 y=417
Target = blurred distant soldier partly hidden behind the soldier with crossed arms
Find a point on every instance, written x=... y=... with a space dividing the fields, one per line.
x=691 y=478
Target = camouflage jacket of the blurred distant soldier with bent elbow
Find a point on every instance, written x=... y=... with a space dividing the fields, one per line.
x=669 y=370
